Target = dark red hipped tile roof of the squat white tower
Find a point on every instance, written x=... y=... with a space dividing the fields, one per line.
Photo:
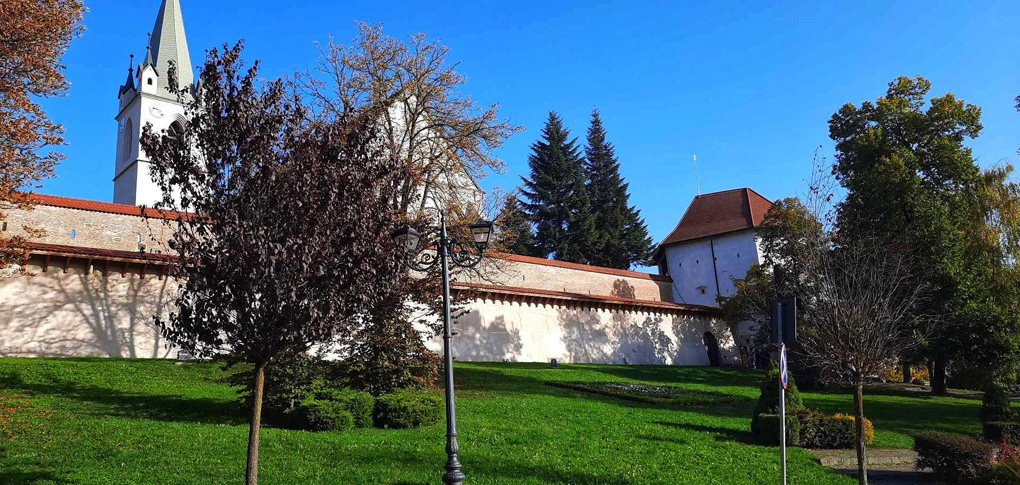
x=720 y=213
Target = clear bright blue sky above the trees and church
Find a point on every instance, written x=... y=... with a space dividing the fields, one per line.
x=748 y=89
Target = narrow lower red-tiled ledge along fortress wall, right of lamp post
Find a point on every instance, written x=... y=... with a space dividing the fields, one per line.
x=512 y=293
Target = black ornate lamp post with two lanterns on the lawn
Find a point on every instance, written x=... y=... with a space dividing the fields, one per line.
x=423 y=258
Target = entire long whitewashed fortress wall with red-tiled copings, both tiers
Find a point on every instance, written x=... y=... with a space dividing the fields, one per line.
x=89 y=290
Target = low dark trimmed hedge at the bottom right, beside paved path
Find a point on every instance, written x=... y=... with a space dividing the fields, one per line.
x=954 y=458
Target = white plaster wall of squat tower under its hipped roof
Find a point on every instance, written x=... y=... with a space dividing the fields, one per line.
x=691 y=266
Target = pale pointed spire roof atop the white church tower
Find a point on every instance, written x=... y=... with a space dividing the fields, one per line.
x=171 y=44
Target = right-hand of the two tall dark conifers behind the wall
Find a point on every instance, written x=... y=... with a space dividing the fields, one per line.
x=622 y=237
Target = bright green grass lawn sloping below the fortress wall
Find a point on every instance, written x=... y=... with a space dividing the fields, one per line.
x=121 y=422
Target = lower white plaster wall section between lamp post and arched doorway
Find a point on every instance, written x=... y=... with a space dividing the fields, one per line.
x=496 y=331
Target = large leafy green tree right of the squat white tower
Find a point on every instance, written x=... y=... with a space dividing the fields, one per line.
x=913 y=185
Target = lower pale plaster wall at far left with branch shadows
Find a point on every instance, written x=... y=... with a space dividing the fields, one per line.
x=78 y=314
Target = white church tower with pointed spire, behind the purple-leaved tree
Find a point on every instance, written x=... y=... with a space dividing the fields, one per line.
x=150 y=103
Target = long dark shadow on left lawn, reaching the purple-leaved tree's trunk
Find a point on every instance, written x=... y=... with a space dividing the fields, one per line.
x=135 y=406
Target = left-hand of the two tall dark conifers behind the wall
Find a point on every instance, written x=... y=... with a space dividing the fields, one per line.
x=556 y=197
